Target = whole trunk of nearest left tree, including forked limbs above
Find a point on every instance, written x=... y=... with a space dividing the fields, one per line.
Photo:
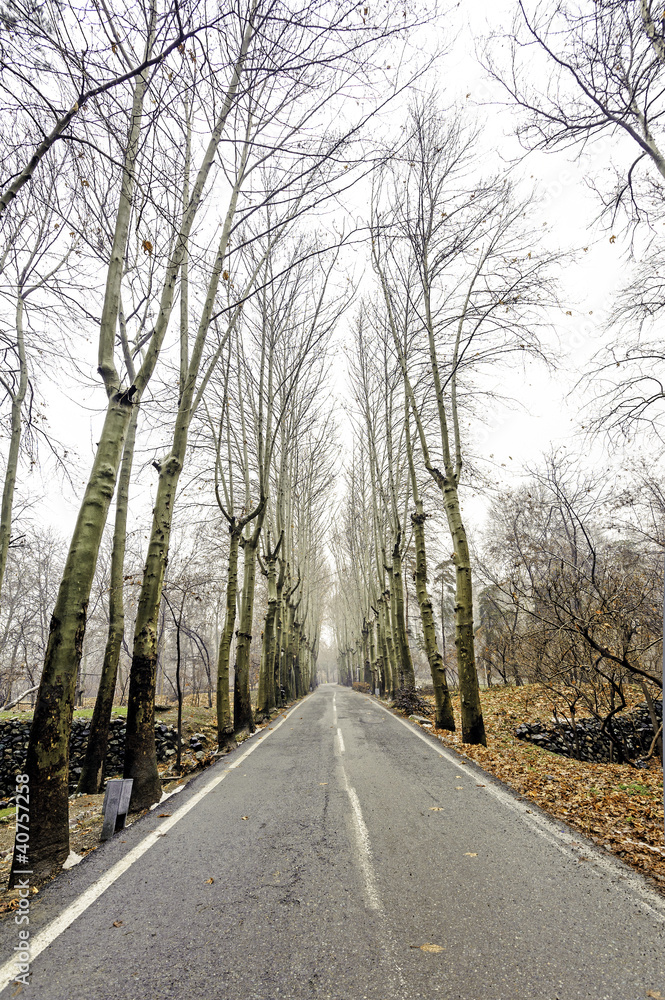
x=47 y=759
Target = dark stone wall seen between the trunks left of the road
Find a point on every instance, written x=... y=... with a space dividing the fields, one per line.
x=14 y=735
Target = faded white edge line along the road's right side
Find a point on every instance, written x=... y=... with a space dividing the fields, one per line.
x=562 y=839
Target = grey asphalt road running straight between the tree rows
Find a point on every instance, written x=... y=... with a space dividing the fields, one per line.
x=334 y=846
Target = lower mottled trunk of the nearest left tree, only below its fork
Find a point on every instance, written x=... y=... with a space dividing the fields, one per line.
x=47 y=760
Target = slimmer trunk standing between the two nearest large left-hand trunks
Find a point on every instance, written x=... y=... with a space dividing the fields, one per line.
x=92 y=773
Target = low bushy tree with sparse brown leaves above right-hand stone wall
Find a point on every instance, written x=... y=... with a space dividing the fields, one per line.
x=587 y=601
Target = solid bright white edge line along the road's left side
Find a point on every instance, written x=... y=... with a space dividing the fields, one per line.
x=53 y=930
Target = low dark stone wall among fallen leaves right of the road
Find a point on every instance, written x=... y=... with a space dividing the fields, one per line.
x=587 y=742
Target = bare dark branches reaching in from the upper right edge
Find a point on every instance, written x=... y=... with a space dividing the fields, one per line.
x=603 y=68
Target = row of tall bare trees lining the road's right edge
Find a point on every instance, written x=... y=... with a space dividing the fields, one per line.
x=461 y=288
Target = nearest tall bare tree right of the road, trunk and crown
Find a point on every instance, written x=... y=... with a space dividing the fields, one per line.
x=461 y=273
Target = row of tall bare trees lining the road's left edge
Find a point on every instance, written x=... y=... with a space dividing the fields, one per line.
x=167 y=155
